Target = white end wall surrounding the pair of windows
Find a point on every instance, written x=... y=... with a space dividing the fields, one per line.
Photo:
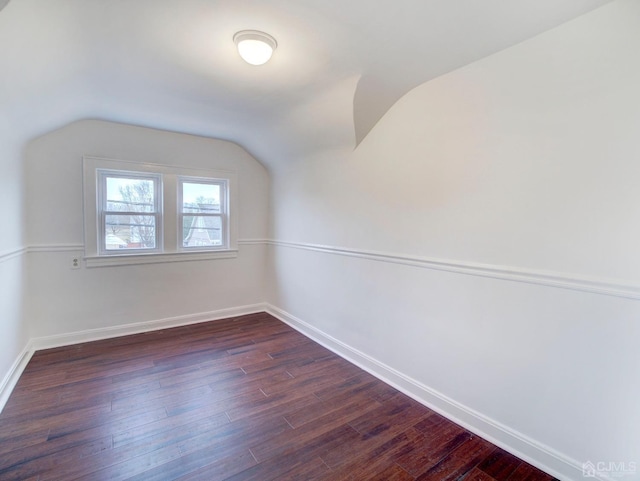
x=64 y=301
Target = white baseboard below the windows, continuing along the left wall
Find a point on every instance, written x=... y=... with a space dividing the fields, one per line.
x=11 y=378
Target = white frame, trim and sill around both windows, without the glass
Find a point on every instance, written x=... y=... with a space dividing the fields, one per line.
x=169 y=242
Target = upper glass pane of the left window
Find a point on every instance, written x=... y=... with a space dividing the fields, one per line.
x=130 y=194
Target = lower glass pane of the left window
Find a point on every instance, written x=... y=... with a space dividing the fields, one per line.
x=130 y=232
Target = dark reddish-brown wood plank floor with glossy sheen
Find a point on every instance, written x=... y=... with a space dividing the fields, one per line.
x=237 y=399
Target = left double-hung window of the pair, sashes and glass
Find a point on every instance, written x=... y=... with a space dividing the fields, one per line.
x=130 y=212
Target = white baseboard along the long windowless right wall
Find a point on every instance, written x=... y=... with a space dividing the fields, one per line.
x=535 y=453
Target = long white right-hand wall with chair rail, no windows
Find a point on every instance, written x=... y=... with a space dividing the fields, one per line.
x=522 y=166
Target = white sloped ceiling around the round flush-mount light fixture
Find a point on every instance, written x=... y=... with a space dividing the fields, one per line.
x=339 y=66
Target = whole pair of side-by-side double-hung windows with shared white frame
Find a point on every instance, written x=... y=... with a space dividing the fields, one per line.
x=144 y=213
